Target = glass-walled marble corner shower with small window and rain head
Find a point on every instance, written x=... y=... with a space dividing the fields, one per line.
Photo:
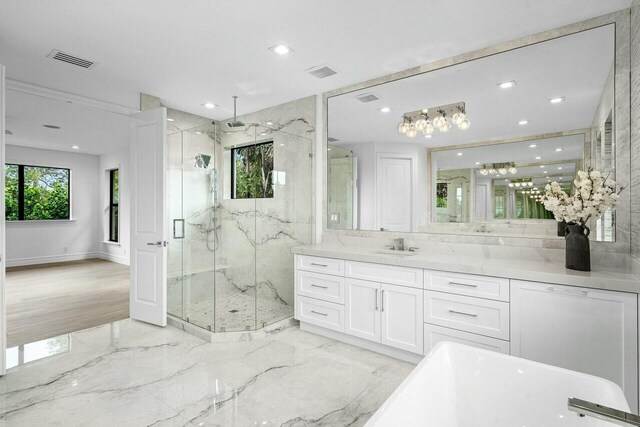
x=239 y=199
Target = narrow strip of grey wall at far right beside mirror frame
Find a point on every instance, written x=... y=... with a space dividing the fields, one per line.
x=635 y=129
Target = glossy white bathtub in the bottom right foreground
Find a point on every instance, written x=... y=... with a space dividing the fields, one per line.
x=457 y=385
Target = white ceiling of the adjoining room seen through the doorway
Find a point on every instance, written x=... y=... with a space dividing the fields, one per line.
x=95 y=131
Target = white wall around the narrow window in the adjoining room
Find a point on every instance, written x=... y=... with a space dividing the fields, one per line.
x=117 y=252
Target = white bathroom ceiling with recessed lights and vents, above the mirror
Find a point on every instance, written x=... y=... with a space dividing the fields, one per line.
x=191 y=52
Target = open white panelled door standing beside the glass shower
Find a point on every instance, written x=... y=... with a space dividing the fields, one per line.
x=148 y=293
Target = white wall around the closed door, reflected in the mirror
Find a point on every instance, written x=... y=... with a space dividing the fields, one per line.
x=366 y=155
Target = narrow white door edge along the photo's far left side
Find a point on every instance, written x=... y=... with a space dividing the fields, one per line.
x=3 y=302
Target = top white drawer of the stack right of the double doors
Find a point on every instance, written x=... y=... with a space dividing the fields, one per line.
x=467 y=284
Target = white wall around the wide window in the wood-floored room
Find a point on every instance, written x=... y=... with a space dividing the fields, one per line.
x=36 y=242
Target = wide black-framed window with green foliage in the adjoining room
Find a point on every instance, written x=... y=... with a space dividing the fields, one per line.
x=37 y=193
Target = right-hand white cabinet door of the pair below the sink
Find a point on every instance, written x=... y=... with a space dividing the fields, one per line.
x=402 y=313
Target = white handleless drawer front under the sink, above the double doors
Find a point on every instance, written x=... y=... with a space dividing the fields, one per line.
x=403 y=276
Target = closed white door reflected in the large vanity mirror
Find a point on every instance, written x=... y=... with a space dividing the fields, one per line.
x=394 y=192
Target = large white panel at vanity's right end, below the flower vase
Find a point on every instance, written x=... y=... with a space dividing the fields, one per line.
x=586 y=330
